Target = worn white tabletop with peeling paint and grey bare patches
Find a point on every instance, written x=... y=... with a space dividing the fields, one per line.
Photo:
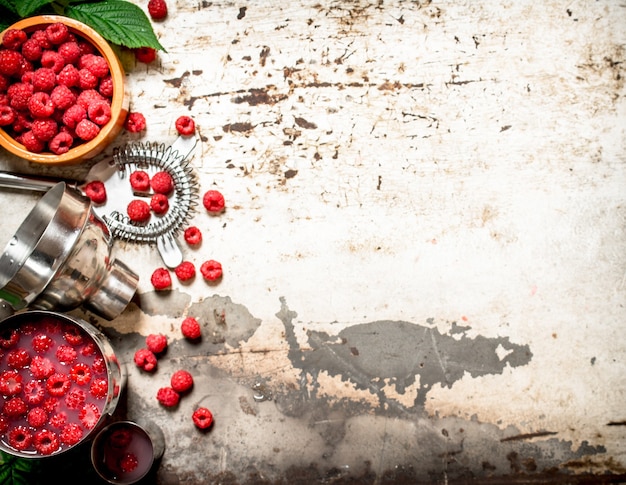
x=423 y=246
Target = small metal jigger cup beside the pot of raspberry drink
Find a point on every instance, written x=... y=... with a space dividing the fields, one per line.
x=125 y=452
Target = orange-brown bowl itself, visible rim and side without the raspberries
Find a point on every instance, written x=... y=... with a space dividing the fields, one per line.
x=119 y=101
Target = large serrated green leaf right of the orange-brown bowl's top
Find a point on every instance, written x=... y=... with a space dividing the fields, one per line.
x=118 y=21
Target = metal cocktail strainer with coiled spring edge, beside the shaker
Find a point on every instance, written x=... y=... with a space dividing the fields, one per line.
x=115 y=173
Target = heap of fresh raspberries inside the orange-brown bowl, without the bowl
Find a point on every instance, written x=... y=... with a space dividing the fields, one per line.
x=55 y=88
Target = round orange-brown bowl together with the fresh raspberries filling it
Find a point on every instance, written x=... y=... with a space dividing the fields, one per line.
x=62 y=97
